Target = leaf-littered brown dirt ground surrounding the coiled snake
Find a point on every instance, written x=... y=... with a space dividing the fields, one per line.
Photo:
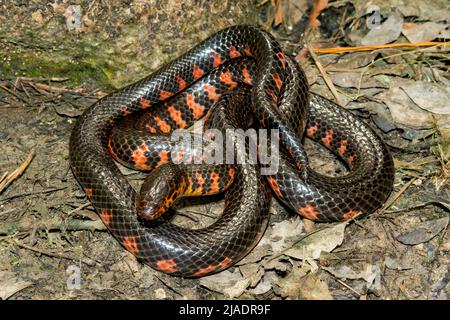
x=53 y=245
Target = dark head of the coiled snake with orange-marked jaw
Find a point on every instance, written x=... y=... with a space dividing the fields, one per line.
x=159 y=191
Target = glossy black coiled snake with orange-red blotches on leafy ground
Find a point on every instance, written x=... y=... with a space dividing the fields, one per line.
x=182 y=92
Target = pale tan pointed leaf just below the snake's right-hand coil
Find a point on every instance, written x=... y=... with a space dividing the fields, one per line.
x=324 y=240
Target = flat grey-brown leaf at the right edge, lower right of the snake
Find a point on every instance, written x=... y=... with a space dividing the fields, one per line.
x=424 y=233
